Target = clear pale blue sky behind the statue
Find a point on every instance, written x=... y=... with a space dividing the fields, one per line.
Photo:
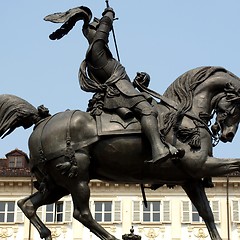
x=163 y=38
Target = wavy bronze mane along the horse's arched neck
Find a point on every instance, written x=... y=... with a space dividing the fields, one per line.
x=181 y=91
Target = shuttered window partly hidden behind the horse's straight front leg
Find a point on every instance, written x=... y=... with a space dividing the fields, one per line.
x=191 y=215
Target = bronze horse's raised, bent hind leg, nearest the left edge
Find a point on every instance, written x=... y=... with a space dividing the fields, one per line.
x=30 y=205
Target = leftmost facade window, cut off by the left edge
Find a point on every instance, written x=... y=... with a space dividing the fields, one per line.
x=7 y=211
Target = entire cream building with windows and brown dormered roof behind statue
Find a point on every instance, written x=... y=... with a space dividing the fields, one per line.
x=169 y=214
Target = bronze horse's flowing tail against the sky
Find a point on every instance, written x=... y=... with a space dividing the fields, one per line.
x=16 y=112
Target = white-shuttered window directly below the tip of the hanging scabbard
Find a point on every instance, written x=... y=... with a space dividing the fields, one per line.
x=156 y=211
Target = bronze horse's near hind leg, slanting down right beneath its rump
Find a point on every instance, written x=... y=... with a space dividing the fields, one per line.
x=80 y=192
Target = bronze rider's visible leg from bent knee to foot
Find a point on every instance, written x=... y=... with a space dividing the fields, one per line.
x=149 y=123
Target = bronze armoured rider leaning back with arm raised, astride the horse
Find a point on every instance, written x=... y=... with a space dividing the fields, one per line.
x=104 y=75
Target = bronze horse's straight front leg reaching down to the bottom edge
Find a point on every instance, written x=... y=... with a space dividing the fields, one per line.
x=197 y=195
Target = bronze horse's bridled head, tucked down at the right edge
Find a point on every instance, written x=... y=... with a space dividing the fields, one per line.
x=227 y=110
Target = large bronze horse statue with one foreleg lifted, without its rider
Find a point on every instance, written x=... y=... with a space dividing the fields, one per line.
x=66 y=151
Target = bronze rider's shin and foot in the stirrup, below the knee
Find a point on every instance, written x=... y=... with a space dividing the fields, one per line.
x=160 y=151
